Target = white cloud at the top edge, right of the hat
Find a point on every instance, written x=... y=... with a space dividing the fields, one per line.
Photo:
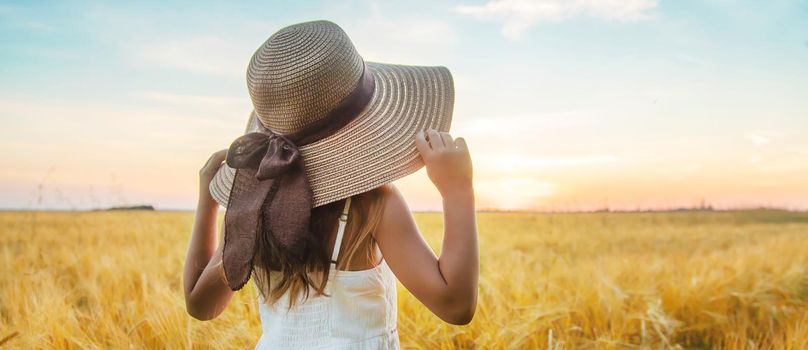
x=519 y=15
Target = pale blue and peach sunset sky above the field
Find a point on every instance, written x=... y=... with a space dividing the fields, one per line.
x=566 y=105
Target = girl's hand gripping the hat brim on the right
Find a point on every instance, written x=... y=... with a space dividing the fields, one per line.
x=447 y=161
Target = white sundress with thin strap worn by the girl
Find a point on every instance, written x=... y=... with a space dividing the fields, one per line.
x=360 y=312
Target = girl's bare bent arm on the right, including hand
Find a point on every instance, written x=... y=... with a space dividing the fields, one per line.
x=446 y=285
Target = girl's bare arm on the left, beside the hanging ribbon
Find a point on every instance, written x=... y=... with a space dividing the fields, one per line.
x=206 y=290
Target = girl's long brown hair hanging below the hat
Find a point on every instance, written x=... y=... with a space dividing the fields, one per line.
x=300 y=274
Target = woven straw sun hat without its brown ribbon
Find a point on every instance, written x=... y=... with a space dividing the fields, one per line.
x=305 y=70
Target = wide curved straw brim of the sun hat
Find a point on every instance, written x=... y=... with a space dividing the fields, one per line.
x=378 y=146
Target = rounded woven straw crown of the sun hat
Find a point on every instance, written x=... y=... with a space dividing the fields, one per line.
x=301 y=73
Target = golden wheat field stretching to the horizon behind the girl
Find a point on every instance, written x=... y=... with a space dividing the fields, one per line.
x=695 y=280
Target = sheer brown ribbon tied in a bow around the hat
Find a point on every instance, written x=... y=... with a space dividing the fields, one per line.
x=271 y=194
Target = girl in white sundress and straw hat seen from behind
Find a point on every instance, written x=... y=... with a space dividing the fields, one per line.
x=311 y=214
